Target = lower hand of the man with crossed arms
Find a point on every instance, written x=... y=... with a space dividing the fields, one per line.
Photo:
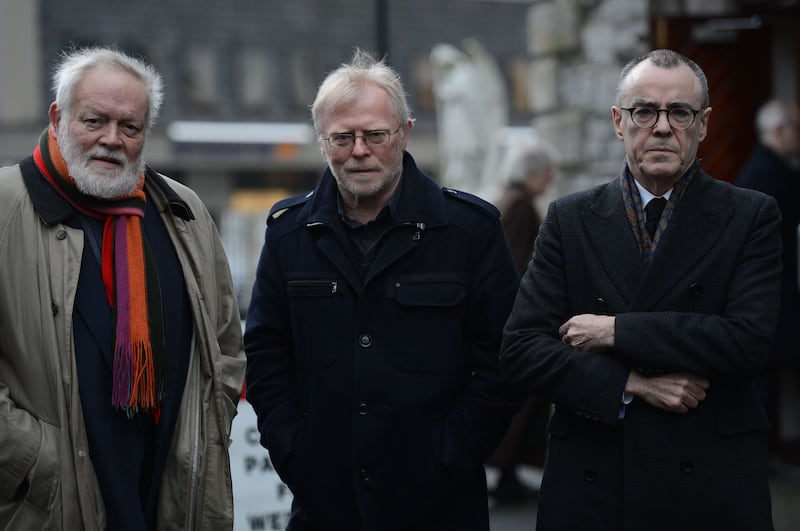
x=676 y=392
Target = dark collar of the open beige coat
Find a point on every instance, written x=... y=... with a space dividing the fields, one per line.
x=53 y=208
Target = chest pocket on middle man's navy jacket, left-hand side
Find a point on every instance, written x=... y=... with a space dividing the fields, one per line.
x=316 y=331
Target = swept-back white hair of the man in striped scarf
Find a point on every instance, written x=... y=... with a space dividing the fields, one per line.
x=75 y=63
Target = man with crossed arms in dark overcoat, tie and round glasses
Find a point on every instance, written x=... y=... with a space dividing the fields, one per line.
x=647 y=311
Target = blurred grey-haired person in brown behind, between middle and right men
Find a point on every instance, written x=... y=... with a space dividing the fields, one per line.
x=528 y=170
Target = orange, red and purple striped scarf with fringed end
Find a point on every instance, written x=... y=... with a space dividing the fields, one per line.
x=131 y=283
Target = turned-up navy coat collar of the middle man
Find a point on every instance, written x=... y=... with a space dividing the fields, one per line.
x=420 y=200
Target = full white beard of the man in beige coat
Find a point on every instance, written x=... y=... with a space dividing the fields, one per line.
x=99 y=182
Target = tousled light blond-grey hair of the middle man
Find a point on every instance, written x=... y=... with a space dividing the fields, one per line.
x=342 y=86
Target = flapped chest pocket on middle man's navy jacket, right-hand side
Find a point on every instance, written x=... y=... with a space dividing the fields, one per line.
x=427 y=317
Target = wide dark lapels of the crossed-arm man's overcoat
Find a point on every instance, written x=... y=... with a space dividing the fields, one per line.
x=696 y=225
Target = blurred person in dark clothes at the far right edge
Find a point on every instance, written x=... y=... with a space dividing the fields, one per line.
x=774 y=168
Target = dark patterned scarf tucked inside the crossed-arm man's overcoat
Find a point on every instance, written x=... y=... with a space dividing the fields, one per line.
x=635 y=210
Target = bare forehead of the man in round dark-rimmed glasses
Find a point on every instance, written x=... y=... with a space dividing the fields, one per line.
x=648 y=83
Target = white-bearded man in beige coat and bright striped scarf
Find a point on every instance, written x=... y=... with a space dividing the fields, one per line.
x=120 y=361
